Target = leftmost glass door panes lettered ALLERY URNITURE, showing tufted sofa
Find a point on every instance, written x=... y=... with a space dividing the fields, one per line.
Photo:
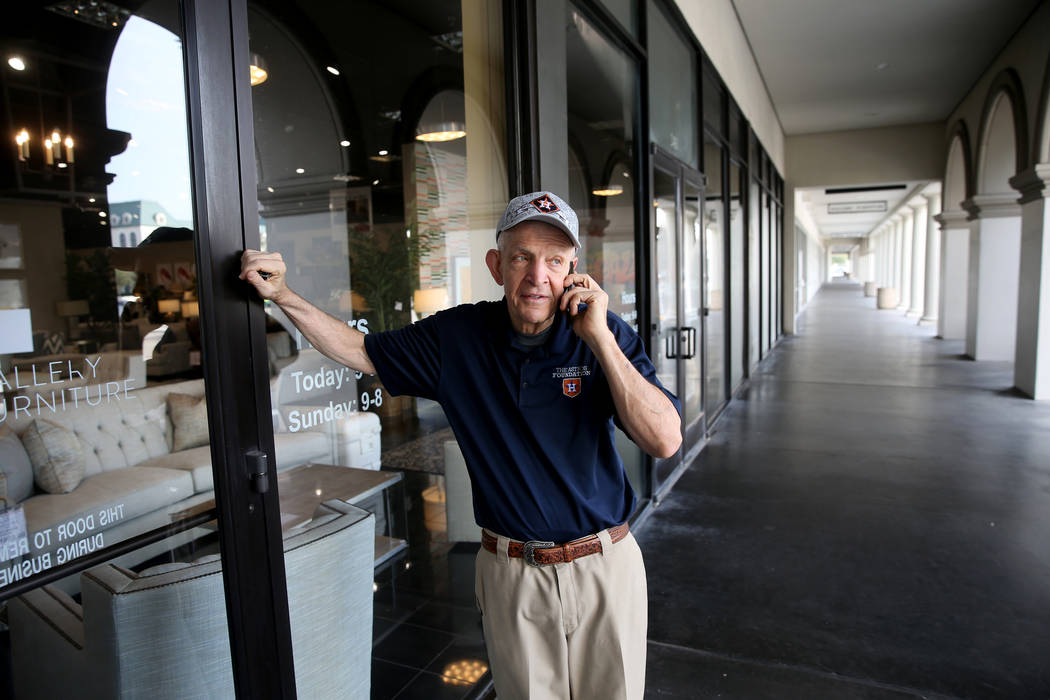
x=104 y=425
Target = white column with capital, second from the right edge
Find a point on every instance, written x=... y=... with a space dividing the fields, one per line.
x=995 y=264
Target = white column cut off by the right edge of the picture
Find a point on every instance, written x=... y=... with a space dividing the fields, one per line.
x=1032 y=365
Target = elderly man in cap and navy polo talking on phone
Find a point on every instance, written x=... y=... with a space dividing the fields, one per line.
x=532 y=387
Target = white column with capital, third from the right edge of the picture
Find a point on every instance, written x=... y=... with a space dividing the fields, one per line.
x=952 y=310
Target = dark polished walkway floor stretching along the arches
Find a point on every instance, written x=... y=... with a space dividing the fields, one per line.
x=871 y=520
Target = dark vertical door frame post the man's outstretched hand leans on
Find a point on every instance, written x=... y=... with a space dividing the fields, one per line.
x=234 y=348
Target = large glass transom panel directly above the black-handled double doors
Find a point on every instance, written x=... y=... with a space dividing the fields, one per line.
x=673 y=86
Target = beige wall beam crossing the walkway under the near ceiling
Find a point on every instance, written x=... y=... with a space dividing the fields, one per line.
x=867 y=157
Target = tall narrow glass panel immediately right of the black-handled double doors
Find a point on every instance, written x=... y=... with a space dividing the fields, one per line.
x=715 y=270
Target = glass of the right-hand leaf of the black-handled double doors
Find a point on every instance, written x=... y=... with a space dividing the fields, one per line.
x=694 y=309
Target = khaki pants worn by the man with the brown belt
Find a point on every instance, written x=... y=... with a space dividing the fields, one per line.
x=568 y=630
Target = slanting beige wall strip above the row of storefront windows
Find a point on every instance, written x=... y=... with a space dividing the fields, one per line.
x=717 y=27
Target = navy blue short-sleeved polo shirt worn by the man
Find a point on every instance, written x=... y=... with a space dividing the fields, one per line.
x=536 y=428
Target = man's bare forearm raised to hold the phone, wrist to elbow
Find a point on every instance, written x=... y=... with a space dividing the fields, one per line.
x=645 y=412
